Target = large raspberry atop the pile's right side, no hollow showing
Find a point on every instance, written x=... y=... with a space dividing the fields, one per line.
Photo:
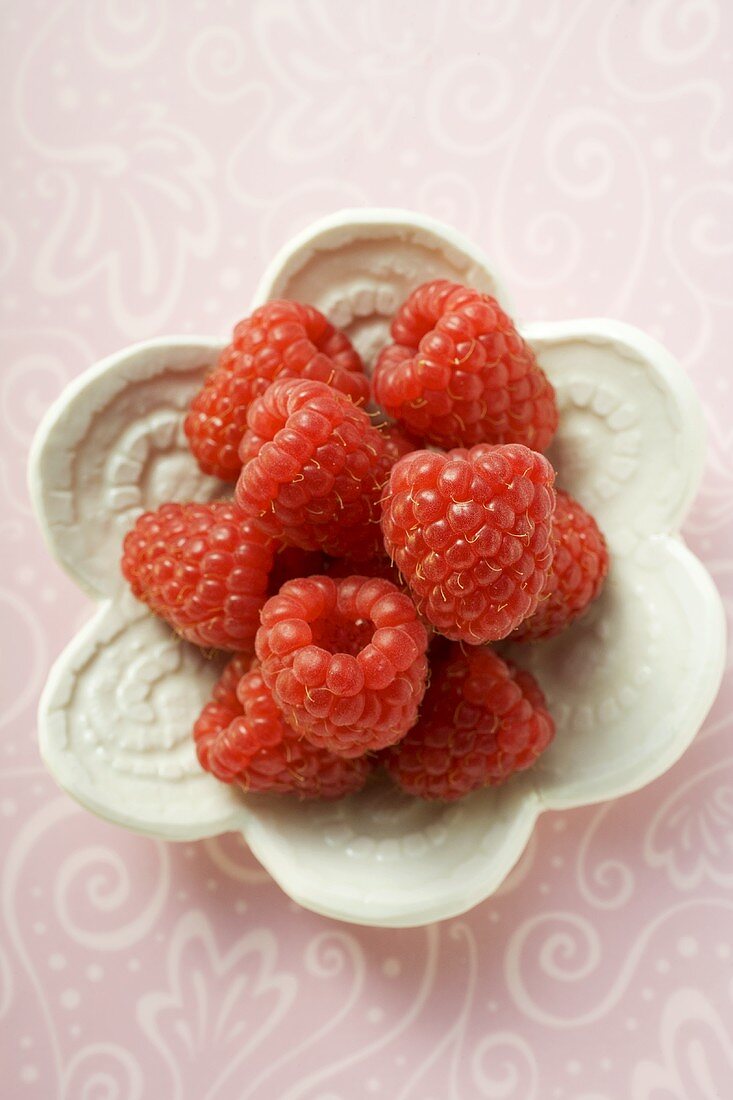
x=469 y=532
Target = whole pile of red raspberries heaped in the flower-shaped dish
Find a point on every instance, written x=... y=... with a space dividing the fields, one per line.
x=385 y=533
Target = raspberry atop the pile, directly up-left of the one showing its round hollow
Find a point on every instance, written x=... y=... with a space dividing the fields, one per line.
x=314 y=470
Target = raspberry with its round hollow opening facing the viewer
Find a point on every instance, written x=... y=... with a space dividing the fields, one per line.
x=345 y=662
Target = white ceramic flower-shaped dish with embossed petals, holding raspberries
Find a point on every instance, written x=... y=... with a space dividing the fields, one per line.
x=630 y=686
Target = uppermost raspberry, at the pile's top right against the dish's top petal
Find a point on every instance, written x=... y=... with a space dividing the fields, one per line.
x=460 y=373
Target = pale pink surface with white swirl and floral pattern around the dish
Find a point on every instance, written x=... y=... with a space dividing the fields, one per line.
x=155 y=155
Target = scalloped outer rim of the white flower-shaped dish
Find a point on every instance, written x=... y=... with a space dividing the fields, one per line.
x=329 y=898
